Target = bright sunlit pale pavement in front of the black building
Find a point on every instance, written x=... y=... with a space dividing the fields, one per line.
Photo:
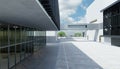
x=108 y=57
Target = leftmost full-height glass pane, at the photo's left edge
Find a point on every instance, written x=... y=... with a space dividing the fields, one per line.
x=3 y=49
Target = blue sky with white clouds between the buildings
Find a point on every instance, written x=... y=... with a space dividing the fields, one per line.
x=73 y=11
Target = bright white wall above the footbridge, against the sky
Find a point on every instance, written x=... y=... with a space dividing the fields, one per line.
x=93 y=11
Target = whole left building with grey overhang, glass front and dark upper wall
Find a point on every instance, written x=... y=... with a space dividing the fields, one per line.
x=23 y=26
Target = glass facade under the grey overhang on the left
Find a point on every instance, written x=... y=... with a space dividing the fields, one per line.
x=17 y=43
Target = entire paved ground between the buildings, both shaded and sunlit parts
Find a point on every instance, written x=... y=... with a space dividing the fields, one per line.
x=74 y=55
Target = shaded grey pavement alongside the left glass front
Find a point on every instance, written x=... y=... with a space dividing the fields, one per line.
x=63 y=55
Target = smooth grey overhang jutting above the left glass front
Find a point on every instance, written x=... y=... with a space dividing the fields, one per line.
x=28 y=13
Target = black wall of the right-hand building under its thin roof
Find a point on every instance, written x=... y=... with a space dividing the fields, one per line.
x=111 y=23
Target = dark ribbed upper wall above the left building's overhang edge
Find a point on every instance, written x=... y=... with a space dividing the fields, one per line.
x=52 y=8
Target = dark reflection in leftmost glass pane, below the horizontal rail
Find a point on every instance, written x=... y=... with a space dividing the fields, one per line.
x=4 y=58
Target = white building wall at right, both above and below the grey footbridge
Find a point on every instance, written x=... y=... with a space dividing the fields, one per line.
x=93 y=12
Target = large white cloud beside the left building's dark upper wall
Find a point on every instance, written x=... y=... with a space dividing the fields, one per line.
x=67 y=8
